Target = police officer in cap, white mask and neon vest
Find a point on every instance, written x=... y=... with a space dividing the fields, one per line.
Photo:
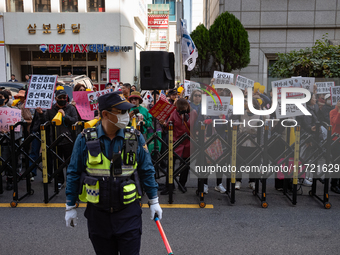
x=109 y=165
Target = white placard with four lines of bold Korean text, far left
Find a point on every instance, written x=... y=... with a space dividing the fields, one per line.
x=41 y=91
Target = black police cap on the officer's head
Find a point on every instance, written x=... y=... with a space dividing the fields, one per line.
x=114 y=99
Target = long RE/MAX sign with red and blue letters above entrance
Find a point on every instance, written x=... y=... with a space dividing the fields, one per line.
x=82 y=48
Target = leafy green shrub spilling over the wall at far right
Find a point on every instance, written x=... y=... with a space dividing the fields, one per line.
x=322 y=60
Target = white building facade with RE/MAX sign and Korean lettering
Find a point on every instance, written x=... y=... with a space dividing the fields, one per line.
x=99 y=38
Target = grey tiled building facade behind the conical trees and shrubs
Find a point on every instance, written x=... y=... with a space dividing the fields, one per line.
x=277 y=26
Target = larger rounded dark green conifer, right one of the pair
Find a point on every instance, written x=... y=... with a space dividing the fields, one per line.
x=229 y=43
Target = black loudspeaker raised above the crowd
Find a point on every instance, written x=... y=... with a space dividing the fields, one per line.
x=157 y=69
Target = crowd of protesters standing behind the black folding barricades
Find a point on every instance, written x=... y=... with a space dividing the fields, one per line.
x=187 y=119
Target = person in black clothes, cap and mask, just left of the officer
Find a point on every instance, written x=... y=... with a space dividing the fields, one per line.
x=69 y=117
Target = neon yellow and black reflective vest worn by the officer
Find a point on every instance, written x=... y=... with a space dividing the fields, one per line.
x=105 y=187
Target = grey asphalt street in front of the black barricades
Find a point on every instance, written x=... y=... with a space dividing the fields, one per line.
x=243 y=228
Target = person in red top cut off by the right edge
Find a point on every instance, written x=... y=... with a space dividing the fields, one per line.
x=334 y=116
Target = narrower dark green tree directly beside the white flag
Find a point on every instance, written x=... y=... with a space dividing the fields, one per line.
x=201 y=38
